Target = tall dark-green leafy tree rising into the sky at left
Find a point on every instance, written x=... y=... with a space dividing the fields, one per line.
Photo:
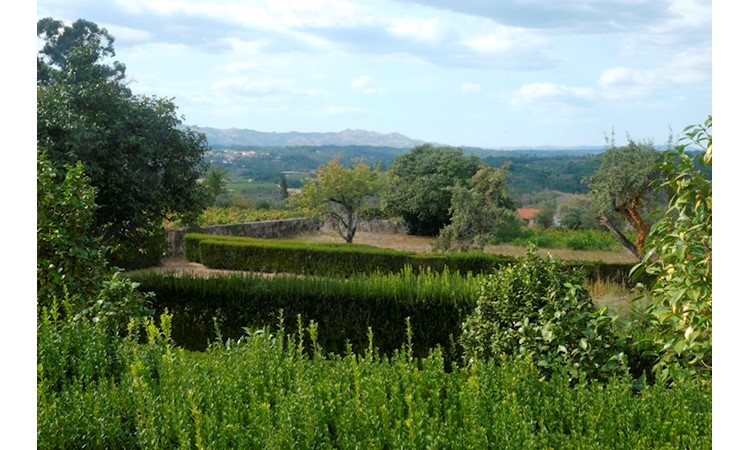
x=144 y=166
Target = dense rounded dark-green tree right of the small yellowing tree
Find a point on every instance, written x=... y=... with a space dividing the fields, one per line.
x=420 y=190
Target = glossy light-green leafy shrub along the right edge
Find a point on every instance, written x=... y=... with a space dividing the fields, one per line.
x=677 y=308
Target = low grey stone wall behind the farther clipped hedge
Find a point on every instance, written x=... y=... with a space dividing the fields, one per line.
x=266 y=229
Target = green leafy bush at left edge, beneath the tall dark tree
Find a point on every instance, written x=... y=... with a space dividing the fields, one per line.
x=73 y=279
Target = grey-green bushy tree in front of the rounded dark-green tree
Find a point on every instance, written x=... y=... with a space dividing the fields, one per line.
x=478 y=212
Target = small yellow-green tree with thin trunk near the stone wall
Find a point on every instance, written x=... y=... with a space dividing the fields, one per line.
x=340 y=193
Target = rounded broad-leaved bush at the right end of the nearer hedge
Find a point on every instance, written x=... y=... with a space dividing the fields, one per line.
x=535 y=309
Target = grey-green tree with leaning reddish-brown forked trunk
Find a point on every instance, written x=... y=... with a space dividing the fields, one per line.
x=623 y=185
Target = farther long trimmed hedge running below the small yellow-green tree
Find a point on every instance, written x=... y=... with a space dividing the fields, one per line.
x=282 y=256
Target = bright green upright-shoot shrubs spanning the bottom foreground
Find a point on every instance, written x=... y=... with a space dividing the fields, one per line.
x=269 y=391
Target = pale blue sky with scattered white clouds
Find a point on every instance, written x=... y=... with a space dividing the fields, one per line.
x=492 y=74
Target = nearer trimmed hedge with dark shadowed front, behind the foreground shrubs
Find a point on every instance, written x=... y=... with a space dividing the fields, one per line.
x=436 y=304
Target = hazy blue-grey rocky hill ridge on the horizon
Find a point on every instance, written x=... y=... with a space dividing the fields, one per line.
x=252 y=138
